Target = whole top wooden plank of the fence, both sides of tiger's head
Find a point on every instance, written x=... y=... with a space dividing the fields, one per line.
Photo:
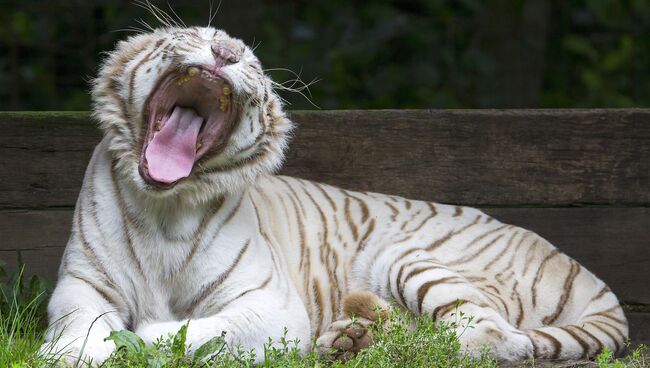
x=477 y=157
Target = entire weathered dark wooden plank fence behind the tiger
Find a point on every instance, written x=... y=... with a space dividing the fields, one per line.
x=580 y=178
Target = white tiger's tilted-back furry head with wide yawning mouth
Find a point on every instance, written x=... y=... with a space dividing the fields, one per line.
x=189 y=112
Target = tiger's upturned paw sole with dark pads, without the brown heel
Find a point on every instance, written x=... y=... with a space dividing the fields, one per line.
x=344 y=338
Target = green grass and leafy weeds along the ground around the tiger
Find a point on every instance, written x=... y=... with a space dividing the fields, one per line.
x=23 y=322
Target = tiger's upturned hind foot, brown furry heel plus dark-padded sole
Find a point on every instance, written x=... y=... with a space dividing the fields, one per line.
x=347 y=336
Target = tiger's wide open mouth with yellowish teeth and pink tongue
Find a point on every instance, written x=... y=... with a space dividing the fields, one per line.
x=189 y=115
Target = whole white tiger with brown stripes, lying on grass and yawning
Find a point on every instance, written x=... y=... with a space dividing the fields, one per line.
x=180 y=220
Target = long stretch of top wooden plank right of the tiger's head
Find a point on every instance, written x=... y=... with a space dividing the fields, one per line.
x=488 y=157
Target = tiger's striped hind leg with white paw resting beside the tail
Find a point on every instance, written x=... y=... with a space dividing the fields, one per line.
x=429 y=288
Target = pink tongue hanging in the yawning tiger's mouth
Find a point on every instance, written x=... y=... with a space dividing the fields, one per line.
x=171 y=153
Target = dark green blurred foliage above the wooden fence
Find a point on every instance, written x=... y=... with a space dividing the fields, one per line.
x=367 y=54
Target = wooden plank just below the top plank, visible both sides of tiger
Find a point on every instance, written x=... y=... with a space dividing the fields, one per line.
x=611 y=242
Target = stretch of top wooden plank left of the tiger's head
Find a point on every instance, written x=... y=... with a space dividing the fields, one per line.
x=44 y=157
